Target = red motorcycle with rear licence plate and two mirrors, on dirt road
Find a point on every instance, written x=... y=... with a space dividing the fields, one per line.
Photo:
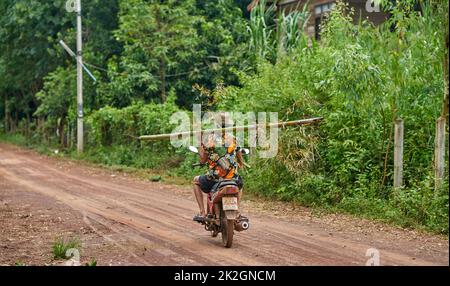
x=223 y=209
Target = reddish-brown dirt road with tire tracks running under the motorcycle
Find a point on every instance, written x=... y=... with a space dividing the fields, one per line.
x=151 y=222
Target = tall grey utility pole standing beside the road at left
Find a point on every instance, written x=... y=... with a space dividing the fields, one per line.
x=80 y=139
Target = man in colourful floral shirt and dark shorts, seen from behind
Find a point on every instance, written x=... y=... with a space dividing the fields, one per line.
x=216 y=147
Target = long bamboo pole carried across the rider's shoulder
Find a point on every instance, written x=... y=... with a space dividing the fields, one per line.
x=302 y=122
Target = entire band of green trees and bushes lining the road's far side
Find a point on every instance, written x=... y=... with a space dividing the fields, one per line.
x=154 y=58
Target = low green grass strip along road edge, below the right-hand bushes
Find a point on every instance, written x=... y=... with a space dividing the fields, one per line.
x=427 y=212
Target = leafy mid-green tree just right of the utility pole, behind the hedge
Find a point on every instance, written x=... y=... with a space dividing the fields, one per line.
x=158 y=37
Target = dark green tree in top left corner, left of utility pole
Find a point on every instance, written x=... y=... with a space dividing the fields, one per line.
x=26 y=29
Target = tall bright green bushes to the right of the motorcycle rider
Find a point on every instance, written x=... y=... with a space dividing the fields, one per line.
x=360 y=79
